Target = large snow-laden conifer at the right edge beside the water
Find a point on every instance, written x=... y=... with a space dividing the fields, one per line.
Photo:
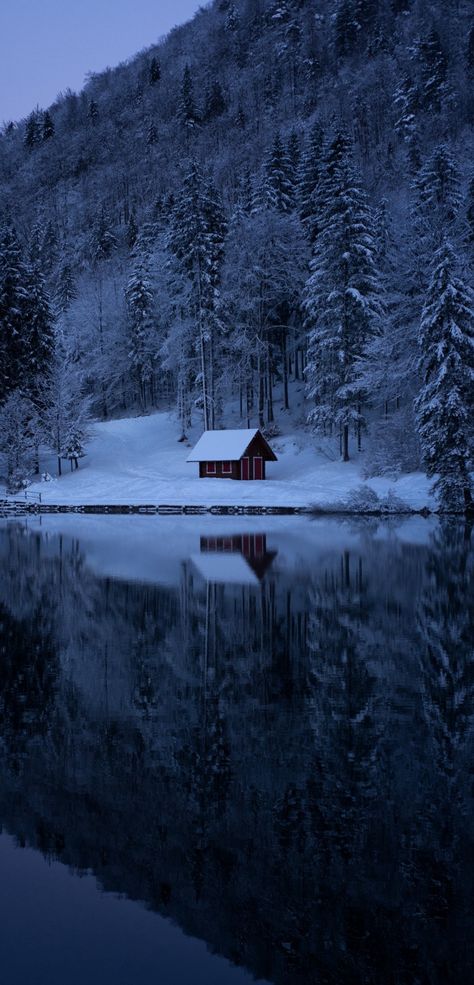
x=445 y=404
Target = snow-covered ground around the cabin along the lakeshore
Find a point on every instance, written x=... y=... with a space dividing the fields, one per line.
x=139 y=461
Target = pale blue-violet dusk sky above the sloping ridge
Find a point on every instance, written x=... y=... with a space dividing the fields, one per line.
x=48 y=46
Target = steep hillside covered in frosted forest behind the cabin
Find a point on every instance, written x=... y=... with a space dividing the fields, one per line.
x=279 y=190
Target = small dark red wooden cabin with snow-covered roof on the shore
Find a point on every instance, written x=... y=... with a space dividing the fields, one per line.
x=239 y=454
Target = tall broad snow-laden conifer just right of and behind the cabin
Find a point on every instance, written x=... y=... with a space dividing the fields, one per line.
x=342 y=297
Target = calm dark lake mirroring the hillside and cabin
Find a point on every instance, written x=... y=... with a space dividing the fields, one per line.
x=235 y=750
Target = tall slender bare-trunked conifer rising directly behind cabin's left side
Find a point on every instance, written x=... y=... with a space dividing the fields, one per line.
x=196 y=238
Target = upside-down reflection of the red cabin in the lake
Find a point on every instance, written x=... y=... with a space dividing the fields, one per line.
x=241 y=559
